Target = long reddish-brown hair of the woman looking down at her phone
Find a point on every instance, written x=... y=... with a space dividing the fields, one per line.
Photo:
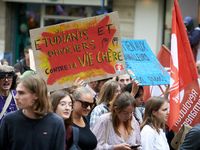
x=120 y=102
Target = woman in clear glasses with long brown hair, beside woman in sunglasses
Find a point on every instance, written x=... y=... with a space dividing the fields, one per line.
x=62 y=105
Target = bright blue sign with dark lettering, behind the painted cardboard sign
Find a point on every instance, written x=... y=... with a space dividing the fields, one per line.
x=143 y=64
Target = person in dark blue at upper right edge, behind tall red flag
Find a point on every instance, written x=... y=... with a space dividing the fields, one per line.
x=193 y=35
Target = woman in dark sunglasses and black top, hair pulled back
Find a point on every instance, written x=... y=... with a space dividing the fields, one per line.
x=82 y=106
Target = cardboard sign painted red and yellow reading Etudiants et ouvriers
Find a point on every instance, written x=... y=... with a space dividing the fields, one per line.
x=89 y=48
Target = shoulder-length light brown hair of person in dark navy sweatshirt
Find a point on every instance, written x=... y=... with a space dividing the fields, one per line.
x=35 y=84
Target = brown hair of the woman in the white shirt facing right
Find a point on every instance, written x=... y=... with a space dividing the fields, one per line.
x=153 y=104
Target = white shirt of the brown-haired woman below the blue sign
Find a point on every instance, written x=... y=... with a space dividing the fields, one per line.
x=151 y=140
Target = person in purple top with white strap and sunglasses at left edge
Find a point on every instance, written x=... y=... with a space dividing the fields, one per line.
x=7 y=93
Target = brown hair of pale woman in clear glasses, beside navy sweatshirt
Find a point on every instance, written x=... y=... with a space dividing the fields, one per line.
x=55 y=98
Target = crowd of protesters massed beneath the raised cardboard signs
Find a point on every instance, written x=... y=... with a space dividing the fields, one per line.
x=107 y=114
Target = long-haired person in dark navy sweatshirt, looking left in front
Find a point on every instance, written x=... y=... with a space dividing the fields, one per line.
x=34 y=126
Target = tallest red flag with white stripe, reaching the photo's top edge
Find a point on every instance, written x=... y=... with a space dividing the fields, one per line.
x=183 y=68
